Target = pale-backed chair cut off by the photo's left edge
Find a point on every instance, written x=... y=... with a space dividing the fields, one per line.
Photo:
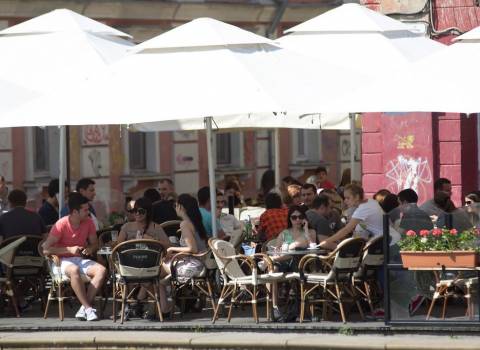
x=7 y=256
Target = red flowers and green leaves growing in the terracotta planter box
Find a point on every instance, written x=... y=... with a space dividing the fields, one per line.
x=440 y=240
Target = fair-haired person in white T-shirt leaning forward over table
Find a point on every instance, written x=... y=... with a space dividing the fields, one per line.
x=366 y=221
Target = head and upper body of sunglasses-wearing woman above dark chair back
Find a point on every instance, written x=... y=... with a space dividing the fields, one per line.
x=143 y=227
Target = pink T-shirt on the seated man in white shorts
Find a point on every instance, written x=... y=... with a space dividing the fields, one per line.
x=70 y=236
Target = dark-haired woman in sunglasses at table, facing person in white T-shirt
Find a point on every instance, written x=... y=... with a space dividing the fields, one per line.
x=296 y=235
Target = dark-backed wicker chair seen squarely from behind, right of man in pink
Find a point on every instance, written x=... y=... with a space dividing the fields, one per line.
x=136 y=263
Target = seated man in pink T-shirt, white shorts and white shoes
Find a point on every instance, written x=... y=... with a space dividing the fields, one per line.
x=71 y=238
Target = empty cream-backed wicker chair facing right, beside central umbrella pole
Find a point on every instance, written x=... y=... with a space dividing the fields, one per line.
x=235 y=280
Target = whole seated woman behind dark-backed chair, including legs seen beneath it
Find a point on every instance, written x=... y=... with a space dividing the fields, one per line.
x=144 y=228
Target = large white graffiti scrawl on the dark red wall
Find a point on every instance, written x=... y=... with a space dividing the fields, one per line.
x=408 y=172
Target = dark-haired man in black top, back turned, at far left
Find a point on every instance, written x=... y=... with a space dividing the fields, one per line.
x=20 y=221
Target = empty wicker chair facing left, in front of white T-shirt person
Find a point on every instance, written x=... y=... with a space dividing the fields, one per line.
x=334 y=281
